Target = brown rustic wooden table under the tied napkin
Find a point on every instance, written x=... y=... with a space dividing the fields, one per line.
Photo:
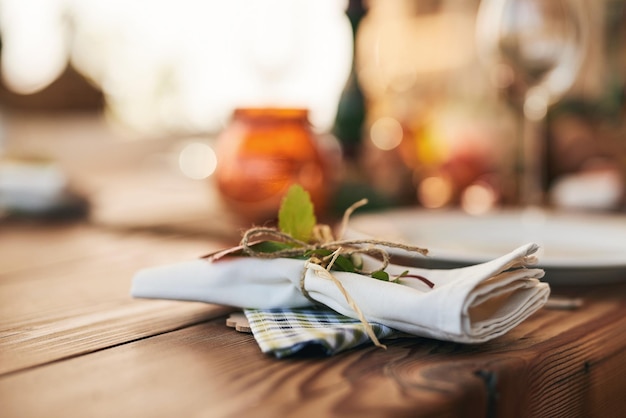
x=73 y=343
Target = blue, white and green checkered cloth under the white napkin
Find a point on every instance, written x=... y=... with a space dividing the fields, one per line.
x=284 y=332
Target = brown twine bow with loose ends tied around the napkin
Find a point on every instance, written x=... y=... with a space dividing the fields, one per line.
x=322 y=266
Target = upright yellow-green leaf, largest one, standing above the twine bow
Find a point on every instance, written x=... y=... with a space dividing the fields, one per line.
x=296 y=216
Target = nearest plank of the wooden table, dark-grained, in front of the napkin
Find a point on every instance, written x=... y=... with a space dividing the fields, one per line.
x=556 y=363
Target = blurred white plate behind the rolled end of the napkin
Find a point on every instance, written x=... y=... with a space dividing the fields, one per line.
x=575 y=248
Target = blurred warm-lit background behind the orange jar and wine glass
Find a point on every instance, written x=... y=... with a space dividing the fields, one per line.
x=121 y=103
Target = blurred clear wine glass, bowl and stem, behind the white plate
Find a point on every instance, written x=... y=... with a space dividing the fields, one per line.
x=533 y=50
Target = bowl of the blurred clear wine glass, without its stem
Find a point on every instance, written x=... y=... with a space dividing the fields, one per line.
x=532 y=43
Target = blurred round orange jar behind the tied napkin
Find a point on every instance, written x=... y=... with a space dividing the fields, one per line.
x=261 y=153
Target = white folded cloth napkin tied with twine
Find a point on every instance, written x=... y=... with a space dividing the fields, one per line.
x=469 y=305
